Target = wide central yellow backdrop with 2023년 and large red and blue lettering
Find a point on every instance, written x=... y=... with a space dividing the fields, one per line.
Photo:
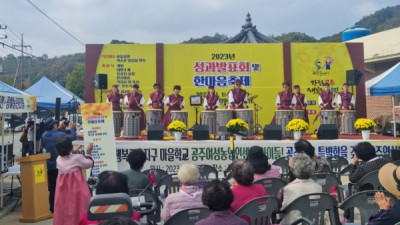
x=196 y=66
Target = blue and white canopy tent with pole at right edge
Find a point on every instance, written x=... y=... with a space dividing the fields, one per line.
x=386 y=84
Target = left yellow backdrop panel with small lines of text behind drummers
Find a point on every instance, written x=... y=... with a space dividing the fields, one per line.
x=125 y=65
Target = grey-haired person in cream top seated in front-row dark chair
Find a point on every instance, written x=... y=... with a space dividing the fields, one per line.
x=302 y=168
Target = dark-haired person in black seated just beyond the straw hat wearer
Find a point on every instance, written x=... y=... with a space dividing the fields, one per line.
x=366 y=152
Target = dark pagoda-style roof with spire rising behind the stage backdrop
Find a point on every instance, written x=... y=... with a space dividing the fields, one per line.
x=249 y=34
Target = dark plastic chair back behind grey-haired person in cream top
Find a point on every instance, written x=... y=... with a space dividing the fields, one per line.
x=313 y=206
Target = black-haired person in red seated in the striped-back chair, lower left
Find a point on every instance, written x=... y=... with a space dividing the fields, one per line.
x=110 y=182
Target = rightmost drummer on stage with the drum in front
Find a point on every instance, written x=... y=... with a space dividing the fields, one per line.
x=346 y=104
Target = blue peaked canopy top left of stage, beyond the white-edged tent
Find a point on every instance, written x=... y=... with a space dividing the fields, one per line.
x=46 y=93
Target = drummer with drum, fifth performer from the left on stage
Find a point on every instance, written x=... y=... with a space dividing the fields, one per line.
x=211 y=103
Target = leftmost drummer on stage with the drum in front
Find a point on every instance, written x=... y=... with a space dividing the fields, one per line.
x=116 y=99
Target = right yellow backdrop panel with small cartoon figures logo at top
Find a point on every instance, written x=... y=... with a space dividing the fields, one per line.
x=316 y=64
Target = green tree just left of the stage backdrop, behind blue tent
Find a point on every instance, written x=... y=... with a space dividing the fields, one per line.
x=76 y=80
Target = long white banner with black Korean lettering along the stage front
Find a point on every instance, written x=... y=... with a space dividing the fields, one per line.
x=168 y=155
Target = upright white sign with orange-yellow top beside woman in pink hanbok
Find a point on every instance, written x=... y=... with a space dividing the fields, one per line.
x=98 y=126
